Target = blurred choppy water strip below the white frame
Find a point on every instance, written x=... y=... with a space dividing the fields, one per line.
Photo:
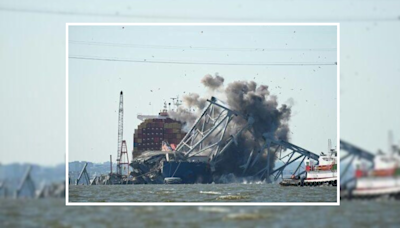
x=54 y=213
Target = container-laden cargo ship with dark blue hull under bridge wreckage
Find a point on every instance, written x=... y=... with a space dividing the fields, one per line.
x=154 y=142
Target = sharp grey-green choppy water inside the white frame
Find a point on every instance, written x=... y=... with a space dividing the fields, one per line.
x=201 y=193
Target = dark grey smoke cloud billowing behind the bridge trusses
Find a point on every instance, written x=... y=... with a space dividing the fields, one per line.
x=249 y=99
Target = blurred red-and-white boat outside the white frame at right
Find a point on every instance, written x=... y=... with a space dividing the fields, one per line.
x=382 y=180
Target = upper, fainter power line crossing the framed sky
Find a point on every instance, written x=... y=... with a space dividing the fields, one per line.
x=196 y=48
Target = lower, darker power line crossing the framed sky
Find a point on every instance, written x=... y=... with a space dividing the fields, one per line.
x=205 y=63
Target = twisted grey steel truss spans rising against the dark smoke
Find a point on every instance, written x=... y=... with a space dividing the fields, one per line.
x=208 y=137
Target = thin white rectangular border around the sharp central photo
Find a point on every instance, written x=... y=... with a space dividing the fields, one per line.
x=337 y=203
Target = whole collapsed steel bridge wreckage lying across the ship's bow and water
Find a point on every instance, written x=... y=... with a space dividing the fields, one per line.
x=226 y=141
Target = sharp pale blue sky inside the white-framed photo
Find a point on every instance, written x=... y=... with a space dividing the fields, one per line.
x=94 y=85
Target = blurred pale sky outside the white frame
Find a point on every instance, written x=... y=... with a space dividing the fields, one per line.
x=32 y=56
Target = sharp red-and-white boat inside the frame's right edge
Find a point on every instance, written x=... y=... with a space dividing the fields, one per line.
x=322 y=173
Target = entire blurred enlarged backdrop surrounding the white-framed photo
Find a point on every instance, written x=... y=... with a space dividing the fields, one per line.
x=32 y=87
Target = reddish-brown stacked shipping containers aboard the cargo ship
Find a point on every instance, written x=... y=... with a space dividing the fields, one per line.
x=151 y=132
